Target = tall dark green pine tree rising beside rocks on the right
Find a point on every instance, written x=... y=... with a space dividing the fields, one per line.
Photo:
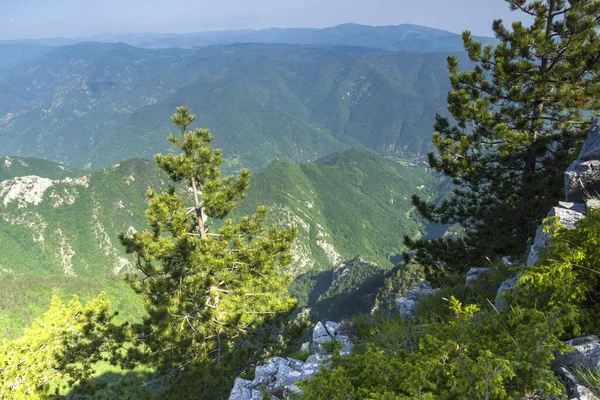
x=517 y=124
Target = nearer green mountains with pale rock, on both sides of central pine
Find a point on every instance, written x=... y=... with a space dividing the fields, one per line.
x=63 y=223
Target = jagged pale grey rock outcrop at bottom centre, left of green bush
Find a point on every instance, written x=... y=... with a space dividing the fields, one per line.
x=277 y=378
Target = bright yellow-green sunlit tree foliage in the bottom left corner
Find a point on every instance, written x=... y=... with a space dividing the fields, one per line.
x=57 y=352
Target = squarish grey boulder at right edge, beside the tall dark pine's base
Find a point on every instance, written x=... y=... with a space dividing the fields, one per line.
x=582 y=180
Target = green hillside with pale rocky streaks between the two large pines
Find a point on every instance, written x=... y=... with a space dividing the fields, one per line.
x=350 y=203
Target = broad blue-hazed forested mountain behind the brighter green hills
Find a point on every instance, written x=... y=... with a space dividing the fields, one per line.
x=95 y=104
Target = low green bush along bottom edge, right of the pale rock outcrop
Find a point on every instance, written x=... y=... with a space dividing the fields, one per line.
x=470 y=355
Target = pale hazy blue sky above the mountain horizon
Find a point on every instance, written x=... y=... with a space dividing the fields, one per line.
x=79 y=18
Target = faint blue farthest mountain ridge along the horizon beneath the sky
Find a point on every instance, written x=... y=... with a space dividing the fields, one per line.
x=391 y=37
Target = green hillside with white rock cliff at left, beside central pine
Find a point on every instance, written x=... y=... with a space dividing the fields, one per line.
x=69 y=225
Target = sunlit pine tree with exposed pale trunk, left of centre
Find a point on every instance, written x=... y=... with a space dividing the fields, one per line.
x=207 y=281
